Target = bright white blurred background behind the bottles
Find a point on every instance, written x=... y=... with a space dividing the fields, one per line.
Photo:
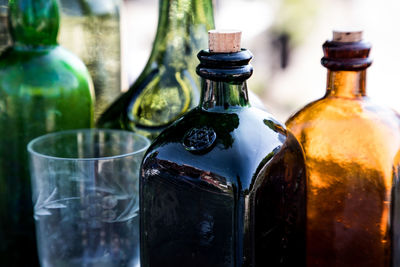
x=286 y=38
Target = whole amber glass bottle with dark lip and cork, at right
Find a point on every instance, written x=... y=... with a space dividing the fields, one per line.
x=352 y=154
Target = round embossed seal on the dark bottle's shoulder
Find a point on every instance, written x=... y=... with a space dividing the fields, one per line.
x=199 y=139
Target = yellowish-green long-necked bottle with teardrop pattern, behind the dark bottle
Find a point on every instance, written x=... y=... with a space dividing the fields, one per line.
x=168 y=86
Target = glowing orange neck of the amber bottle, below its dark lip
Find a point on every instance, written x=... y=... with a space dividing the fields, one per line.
x=346 y=84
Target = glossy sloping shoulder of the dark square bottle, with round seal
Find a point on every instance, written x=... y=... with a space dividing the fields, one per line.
x=235 y=145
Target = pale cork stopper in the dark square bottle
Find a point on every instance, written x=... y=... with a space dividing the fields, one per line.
x=224 y=41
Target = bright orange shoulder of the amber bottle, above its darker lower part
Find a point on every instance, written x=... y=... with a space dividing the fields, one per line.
x=347 y=132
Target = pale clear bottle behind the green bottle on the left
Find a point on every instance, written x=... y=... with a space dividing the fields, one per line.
x=91 y=30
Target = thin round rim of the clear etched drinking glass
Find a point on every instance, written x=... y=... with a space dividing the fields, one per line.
x=45 y=136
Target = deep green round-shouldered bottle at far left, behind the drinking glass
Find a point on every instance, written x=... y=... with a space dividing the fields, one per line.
x=43 y=88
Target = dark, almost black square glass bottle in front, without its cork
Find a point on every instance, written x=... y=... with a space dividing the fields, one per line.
x=223 y=185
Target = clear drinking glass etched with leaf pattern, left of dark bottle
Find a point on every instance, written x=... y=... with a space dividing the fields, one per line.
x=86 y=197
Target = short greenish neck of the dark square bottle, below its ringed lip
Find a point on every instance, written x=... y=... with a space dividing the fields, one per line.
x=222 y=96
